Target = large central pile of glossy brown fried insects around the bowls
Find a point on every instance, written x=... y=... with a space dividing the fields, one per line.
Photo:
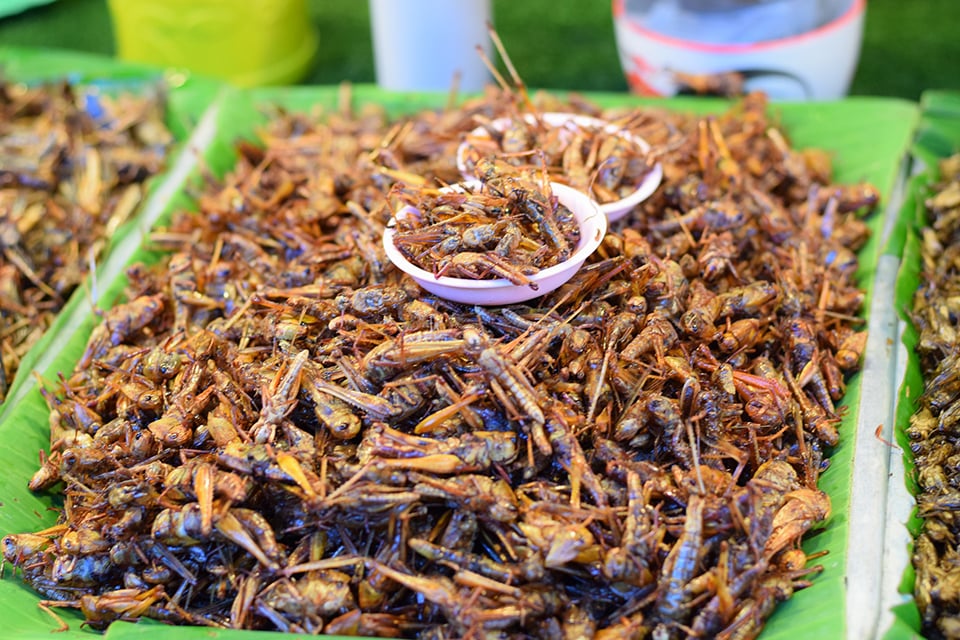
x=278 y=430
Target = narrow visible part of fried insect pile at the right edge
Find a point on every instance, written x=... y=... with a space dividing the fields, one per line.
x=933 y=428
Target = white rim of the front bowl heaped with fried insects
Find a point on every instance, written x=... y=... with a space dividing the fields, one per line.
x=586 y=246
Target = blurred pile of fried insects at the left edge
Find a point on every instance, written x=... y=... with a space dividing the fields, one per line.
x=72 y=170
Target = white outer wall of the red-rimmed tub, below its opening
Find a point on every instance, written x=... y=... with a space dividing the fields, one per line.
x=816 y=64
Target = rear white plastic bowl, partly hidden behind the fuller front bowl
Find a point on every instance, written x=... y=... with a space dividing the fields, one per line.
x=570 y=121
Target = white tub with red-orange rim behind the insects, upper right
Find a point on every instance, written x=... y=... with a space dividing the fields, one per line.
x=790 y=49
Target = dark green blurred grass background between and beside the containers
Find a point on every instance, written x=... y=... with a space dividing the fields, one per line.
x=909 y=45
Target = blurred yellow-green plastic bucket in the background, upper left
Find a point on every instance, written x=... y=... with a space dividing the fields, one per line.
x=246 y=42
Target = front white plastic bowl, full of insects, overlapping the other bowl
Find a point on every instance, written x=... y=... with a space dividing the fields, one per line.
x=593 y=226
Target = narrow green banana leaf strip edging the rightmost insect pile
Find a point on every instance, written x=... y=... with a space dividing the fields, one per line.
x=938 y=136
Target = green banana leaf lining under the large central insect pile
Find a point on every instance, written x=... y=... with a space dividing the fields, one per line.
x=867 y=136
